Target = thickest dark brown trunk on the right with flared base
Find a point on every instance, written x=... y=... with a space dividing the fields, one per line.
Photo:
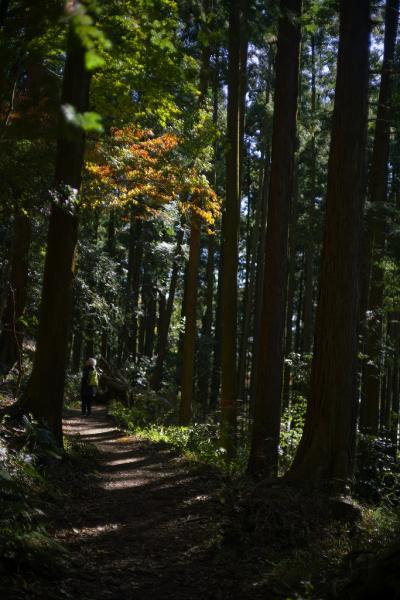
x=327 y=448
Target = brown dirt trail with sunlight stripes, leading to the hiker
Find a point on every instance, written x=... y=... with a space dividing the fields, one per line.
x=144 y=528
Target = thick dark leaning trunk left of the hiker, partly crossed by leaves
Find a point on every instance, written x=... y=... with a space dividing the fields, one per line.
x=44 y=394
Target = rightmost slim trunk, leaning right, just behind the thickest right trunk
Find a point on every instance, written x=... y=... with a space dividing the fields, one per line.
x=373 y=270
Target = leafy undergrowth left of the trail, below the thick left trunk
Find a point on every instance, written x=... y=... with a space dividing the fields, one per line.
x=32 y=470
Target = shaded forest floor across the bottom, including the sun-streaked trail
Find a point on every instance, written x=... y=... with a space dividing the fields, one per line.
x=144 y=523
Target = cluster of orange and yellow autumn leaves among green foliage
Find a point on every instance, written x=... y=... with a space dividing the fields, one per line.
x=134 y=165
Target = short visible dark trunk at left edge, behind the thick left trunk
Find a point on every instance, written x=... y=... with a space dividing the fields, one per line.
x=11 y=336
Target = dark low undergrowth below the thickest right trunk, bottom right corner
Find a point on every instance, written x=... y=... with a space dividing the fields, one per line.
x=292 y=542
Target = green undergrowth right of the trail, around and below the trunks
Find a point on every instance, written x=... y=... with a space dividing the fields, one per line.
x=287 y=540
